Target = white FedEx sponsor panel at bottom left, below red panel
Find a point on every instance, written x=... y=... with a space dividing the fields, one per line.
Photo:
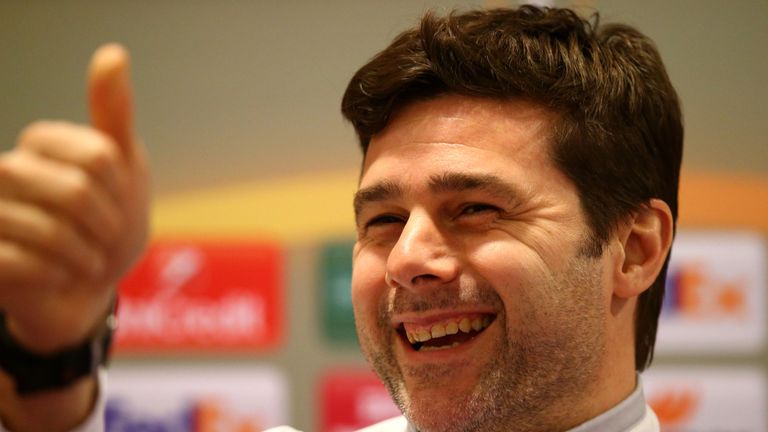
x=195 y=399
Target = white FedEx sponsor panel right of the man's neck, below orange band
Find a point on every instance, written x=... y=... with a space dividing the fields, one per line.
x=715 y=297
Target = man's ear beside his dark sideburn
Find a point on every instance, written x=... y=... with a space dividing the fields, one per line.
x=645 y=241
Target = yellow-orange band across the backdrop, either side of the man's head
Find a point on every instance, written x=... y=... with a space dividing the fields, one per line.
x=317 y=206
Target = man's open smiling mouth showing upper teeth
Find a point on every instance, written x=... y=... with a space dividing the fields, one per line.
x=444 y=335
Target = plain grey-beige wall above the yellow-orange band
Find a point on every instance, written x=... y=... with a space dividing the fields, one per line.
x=237 y=90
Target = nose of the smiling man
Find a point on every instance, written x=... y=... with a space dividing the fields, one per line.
x=423 y=257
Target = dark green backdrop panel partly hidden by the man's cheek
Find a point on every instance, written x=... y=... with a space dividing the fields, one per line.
x=335 y=285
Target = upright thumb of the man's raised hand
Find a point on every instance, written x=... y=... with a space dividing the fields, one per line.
x=110 y=95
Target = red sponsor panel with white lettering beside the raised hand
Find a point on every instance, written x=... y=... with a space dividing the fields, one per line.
x=202 y=295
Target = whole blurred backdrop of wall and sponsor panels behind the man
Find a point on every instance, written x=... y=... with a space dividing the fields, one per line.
x=239 y=316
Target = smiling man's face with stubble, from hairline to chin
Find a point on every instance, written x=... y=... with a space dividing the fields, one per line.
x=472 y=297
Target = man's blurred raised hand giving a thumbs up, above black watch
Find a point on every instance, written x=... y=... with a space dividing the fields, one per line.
x=73 y=213
